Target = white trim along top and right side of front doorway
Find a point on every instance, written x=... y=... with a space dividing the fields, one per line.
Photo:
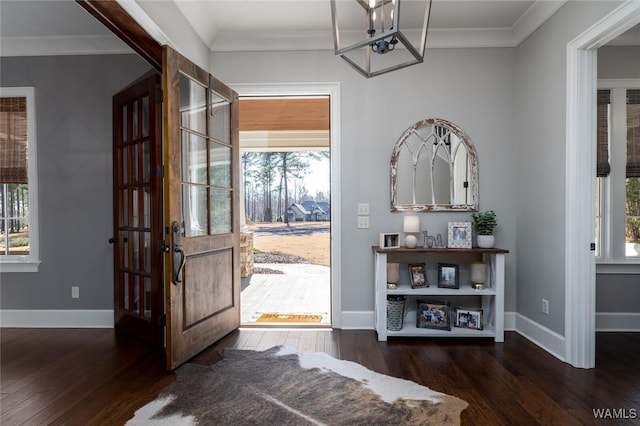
x=333 y=90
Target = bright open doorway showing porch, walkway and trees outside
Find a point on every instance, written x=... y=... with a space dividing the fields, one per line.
x=286 y=219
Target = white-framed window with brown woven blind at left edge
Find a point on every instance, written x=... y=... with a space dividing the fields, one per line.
x=18 y=183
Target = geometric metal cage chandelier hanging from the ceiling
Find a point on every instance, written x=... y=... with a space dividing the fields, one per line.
x=377 y=36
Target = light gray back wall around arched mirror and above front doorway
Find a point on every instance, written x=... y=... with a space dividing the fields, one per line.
x=470 y=87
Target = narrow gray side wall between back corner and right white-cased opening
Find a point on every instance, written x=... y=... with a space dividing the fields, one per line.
x=541 y=133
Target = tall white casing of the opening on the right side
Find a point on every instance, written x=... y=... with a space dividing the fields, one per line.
x=580 y=155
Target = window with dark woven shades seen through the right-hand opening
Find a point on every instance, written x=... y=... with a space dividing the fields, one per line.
x=618 y=173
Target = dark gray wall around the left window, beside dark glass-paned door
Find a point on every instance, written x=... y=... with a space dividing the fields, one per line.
x=73 y=111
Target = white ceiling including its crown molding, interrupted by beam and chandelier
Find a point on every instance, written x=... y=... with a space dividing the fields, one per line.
x=43 y=27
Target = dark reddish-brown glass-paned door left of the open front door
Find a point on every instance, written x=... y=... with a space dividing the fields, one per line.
x=138 y=239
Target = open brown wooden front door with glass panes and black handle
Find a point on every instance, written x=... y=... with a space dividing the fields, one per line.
x=202 y=269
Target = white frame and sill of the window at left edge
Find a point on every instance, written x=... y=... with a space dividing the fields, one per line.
x=30 y=262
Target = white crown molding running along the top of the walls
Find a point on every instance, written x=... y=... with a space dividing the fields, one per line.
x=217 y=41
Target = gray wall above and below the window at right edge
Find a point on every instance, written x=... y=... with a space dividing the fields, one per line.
x=618 y=293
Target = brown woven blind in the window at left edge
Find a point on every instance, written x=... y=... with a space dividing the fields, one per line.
x=13 y=140
